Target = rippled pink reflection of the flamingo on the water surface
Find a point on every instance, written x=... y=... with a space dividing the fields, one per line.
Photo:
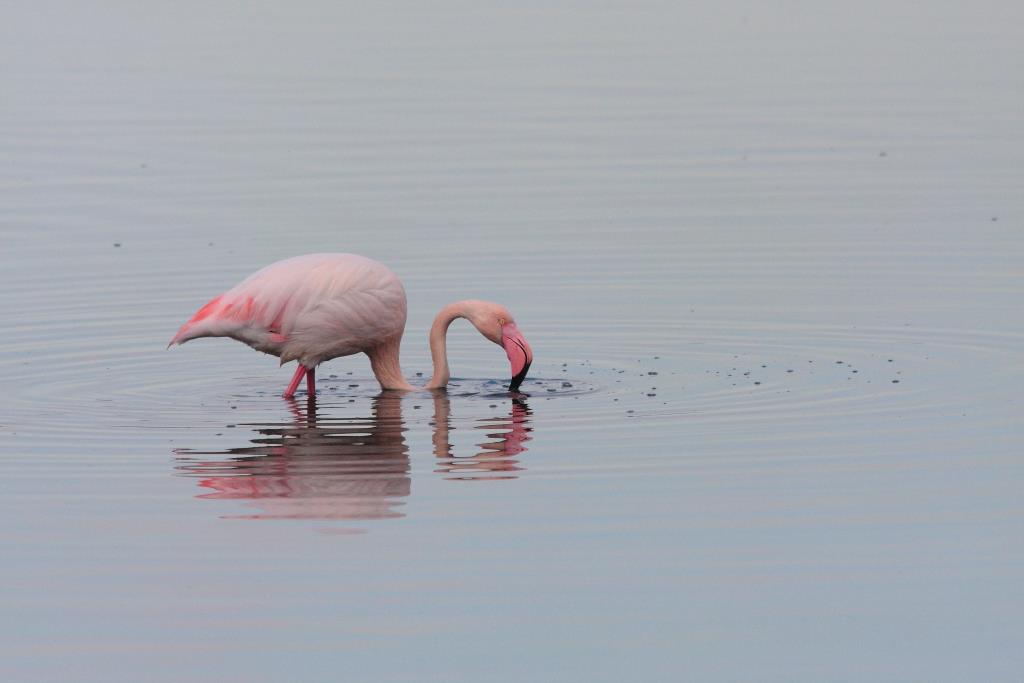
x=348 y=468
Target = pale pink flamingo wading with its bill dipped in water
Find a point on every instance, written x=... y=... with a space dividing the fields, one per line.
x=321 y=307
